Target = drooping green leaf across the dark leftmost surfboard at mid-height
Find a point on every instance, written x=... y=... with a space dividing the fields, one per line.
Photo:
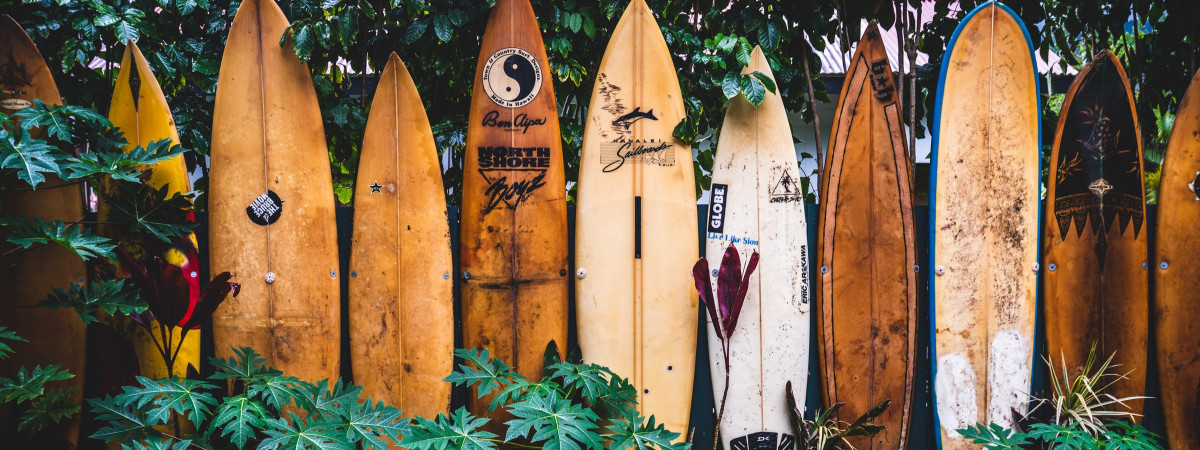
x=27 y=232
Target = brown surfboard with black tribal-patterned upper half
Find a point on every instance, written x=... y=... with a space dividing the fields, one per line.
x=1096 y=280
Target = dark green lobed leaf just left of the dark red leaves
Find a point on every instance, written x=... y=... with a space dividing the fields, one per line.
x=111 y=297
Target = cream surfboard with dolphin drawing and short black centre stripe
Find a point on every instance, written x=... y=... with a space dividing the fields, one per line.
x=635 y=232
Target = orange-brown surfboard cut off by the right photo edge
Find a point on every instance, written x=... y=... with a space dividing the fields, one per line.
x=1177 y=268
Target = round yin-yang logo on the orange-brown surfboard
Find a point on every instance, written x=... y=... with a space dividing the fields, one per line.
x=512 y=77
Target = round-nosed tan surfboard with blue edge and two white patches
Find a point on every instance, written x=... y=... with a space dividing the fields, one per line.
x=985 y=224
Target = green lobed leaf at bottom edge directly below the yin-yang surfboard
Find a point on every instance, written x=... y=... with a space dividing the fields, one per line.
x=555 y=422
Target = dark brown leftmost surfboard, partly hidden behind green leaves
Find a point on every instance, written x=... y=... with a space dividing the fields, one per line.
x=29 y=277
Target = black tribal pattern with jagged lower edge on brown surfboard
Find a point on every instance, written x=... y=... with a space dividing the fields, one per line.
x=1099 y=171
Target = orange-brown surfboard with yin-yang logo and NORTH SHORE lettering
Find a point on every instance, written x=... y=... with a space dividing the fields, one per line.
x=514 y=250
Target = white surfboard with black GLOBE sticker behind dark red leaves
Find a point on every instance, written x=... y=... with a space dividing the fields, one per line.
x=758 y=205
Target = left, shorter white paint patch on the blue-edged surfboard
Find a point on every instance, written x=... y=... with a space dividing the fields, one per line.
x=955 y=387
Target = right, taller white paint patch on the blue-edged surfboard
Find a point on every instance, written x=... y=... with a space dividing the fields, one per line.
x=1009 y=376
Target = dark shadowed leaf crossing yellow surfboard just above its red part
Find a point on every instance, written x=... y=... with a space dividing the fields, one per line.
x=158 y=213
